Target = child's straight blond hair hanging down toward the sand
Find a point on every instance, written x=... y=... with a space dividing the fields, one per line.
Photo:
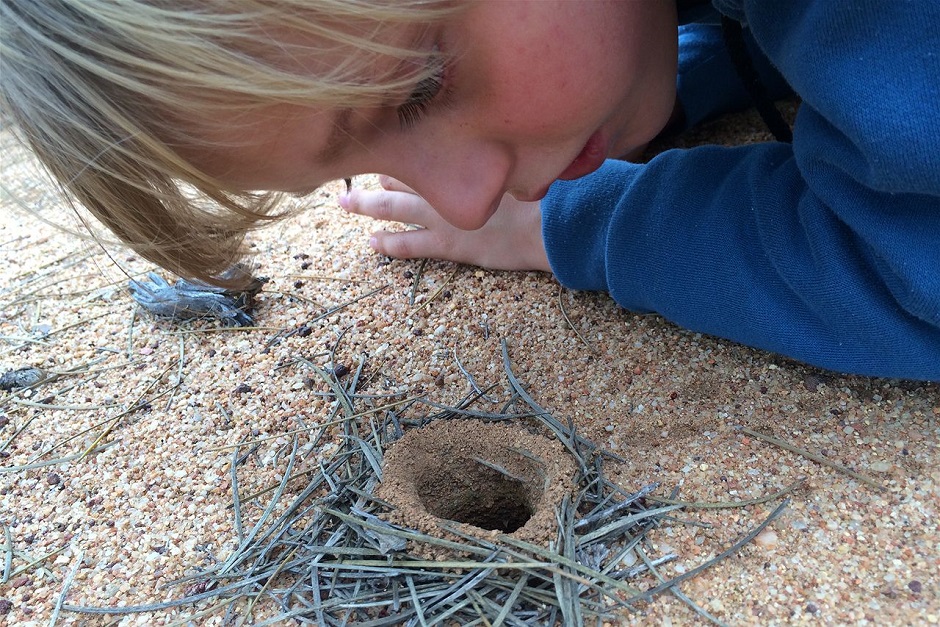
x=102 y=90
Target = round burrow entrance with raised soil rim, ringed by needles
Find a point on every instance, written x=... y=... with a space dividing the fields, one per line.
x=487 y=477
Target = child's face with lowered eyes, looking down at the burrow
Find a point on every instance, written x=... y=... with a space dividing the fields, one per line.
x=536 y=91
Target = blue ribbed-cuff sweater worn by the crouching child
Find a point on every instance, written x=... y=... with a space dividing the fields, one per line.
x=826 y=250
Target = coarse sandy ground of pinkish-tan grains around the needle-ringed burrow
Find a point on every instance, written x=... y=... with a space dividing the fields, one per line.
x=150 y=504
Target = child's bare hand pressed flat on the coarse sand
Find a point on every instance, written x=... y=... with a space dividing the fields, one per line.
x=510 y=240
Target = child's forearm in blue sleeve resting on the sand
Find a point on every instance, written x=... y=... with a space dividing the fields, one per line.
x=733 y=242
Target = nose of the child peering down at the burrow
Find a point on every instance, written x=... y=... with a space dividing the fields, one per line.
x=463 y=181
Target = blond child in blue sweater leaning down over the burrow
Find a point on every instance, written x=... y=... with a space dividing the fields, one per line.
x=825 y=250
